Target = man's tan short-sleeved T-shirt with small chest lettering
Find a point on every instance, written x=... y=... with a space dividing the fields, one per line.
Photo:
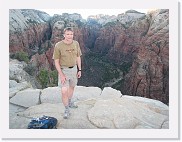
x=67 y=53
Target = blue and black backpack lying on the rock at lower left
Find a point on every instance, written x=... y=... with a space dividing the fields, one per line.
x=44 y=122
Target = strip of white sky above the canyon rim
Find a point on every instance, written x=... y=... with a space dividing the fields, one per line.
x=87 y=12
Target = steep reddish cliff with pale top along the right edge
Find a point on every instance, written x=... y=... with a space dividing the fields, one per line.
x=149 y=74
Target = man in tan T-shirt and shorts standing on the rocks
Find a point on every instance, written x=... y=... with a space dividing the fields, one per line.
x=68 y=64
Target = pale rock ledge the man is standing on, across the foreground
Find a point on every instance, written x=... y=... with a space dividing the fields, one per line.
x=106 y=109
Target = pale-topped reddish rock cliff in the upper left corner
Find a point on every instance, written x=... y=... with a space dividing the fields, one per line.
x=28 y=30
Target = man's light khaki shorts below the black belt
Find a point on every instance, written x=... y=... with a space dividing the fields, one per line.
x=71 y=77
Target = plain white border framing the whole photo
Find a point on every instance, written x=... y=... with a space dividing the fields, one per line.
x=167 y=134
